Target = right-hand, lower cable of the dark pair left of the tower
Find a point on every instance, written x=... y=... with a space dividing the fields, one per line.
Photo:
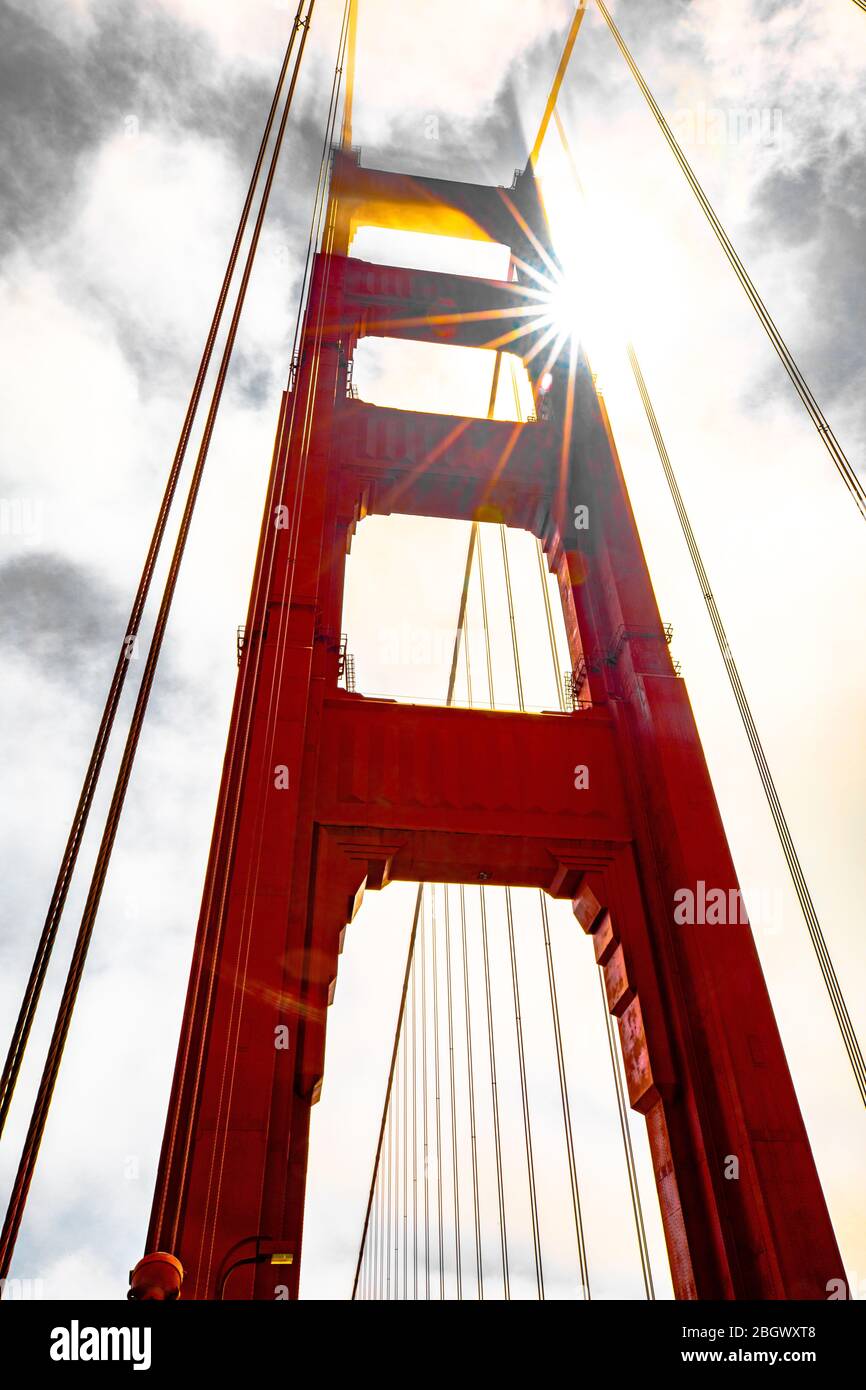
x=65 y=1014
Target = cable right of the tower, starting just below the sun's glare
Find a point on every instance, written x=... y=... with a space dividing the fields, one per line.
x=814 y=926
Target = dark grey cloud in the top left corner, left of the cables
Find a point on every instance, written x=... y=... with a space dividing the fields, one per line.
x=60 y=98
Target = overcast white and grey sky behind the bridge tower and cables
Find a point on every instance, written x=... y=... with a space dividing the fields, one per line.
x=129 y=129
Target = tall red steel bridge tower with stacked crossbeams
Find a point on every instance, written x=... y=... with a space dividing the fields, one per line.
x=327 y=794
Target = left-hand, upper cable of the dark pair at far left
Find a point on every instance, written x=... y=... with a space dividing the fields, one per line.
x=24 y=1022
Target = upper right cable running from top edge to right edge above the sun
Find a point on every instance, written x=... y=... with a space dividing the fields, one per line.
x=844 y=469
